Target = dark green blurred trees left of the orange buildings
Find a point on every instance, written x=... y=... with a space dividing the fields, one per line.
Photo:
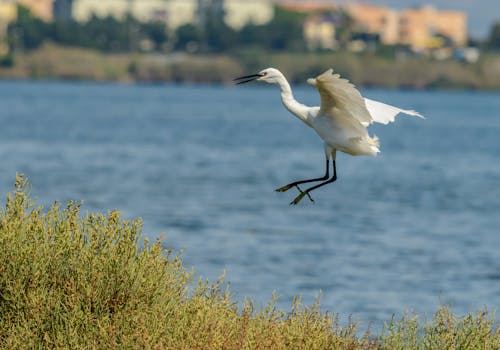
x=109 y=34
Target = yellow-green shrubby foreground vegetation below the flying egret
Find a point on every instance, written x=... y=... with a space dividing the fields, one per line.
x=72 y=281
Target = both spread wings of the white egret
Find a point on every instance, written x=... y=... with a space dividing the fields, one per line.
x=339 y=93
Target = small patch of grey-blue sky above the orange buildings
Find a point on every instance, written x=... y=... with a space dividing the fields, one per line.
x=481 y=13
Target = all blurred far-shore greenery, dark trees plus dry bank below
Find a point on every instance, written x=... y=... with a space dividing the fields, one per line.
x=128 y=50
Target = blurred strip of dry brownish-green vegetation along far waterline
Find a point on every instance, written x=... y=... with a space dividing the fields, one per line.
x=57 y=62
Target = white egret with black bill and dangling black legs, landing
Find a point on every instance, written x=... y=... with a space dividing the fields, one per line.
x=341 y=121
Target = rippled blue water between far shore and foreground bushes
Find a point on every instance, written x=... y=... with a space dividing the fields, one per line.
x=414 y=227
